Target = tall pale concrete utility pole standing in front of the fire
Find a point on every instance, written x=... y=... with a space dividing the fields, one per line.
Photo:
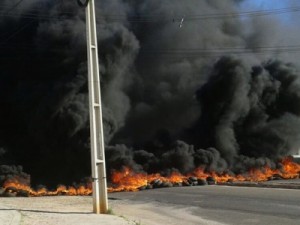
x=100 y=202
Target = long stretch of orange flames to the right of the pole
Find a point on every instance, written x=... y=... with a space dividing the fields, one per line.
x=128 y=180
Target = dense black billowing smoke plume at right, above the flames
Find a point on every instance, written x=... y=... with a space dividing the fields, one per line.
x=250 y=111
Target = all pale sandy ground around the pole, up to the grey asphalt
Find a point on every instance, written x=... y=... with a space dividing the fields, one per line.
x=77 y=210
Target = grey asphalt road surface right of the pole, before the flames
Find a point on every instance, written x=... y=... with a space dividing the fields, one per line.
x=222 y=204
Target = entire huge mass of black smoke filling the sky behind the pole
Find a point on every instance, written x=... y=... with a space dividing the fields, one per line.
x=163 y=109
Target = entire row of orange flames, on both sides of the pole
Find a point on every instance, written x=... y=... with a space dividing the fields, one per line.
x=129 y=180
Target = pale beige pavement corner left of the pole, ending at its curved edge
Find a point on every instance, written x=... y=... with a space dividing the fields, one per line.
x=61 y=210
